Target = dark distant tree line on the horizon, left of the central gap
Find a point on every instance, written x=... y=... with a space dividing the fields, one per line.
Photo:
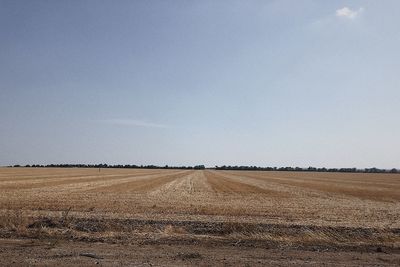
x=119 y=166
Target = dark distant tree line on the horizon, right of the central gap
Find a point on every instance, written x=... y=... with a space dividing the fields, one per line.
x=309 y=169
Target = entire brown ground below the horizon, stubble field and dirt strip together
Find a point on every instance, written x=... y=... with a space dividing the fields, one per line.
x=114 y=217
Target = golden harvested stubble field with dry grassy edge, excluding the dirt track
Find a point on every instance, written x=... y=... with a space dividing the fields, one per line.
x=297 y=210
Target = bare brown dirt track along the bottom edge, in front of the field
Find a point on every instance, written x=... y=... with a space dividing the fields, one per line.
x=46 y=253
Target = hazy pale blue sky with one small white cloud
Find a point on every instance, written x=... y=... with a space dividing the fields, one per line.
x=267 y=83
